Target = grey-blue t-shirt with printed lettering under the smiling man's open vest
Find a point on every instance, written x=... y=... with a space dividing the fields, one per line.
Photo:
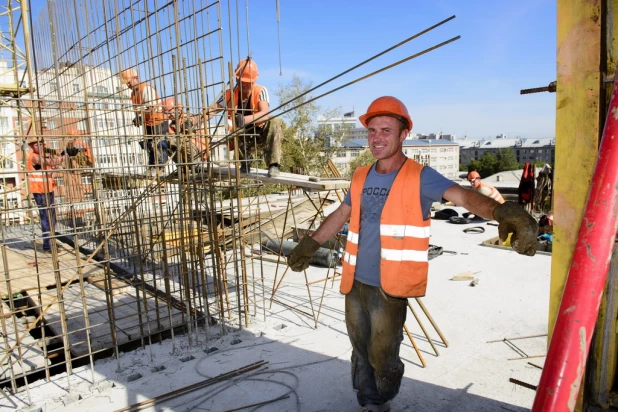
x=376 y=188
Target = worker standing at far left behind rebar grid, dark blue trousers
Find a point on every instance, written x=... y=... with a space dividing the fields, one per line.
x=41 y=184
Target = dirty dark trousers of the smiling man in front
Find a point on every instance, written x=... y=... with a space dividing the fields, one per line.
x=375 y=326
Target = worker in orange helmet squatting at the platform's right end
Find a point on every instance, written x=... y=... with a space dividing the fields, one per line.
x=248 y=105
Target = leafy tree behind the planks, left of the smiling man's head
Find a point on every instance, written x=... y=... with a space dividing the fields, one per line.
x=305 y=146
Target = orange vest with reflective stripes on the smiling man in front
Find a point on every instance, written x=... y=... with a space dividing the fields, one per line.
x=404 y=234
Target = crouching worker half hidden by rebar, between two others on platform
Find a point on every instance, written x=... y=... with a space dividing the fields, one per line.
x=195 y=144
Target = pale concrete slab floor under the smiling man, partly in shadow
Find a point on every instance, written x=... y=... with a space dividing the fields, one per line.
x=312 y=366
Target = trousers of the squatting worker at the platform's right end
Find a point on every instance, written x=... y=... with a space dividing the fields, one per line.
x=267 y=138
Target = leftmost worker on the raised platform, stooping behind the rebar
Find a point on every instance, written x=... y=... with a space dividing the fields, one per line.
x=149 y=114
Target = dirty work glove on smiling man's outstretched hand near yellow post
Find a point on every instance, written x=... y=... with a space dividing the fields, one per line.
x=512 y=218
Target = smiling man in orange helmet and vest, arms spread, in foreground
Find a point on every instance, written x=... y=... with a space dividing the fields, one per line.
x=386 y=257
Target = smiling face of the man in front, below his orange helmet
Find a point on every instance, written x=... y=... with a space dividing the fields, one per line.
x=385 y=136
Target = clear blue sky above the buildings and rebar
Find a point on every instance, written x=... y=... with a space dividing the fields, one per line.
x=469 y=87
